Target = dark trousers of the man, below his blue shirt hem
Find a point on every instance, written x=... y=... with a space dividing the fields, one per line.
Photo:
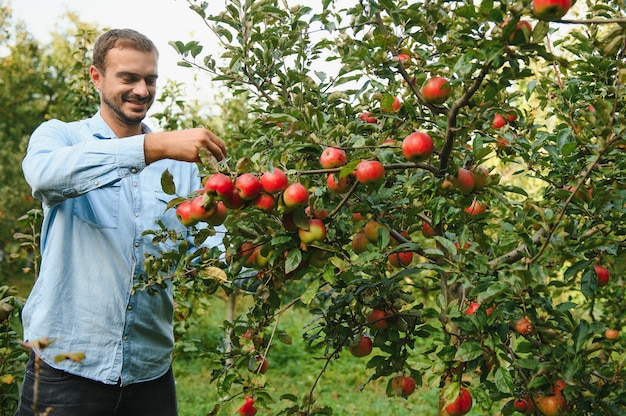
x=69 y=395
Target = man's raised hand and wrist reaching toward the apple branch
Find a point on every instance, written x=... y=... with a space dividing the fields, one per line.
x=182 y=145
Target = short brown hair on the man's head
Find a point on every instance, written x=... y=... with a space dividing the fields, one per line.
x=120 y=38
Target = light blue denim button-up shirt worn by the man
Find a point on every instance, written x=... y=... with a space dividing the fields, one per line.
x=98 y=198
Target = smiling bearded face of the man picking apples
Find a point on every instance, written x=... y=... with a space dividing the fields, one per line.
x=127 y=85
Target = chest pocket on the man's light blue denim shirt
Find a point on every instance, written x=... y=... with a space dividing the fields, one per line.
x=100 y=207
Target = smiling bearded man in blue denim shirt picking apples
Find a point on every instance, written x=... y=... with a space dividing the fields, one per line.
x=99 y=181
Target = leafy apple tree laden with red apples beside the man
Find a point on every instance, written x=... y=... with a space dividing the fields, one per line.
x=464 y=198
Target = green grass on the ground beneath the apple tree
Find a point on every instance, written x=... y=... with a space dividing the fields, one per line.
x=293 y=370
